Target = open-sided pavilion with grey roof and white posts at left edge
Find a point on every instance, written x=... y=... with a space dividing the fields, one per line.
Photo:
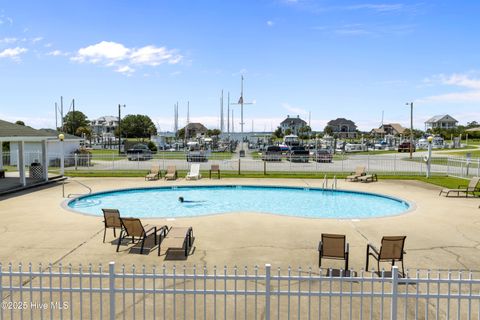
x=11 y=132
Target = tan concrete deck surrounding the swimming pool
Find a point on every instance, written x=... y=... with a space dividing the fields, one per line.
x=442 y=233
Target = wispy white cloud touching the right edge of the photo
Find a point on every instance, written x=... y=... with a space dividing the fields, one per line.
x=466 y=81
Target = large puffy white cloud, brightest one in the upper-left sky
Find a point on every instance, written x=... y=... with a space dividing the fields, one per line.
x=113 y=54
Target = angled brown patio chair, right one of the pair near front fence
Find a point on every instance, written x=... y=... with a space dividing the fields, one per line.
x=390 y=250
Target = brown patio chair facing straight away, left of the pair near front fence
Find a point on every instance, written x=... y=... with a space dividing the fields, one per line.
x=333 y=246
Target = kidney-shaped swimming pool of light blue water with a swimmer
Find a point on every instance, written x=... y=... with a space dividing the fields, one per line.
x=206 y=200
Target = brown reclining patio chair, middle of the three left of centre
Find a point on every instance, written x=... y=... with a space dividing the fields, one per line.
x=133 y=227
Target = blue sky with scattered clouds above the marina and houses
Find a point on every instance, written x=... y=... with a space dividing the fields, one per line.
x=350 y=59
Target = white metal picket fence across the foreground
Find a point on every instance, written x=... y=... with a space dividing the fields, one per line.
x=237 y=293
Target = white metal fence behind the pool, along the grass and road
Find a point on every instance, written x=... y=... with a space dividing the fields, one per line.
x=384 y=164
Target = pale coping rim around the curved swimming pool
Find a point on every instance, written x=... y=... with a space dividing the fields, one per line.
x=411 y=204
